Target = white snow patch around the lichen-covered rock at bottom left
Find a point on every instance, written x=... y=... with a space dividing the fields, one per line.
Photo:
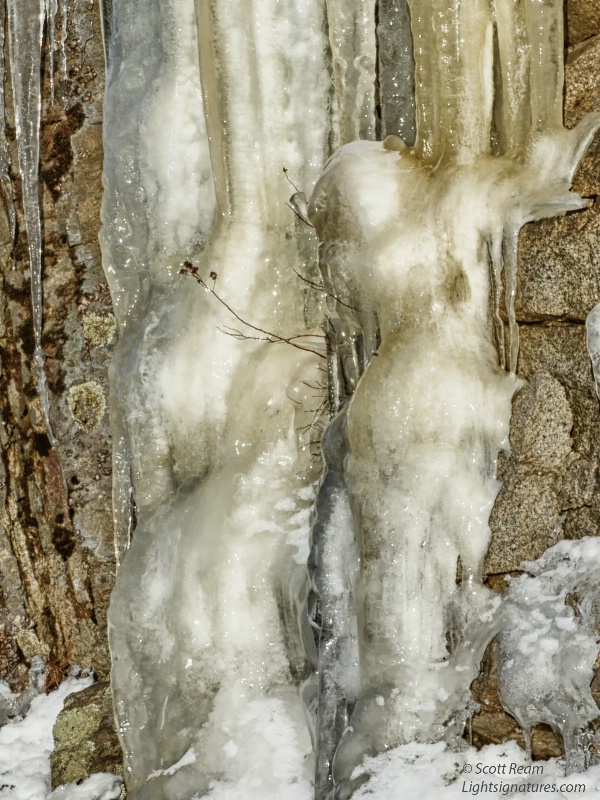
x=25 y=747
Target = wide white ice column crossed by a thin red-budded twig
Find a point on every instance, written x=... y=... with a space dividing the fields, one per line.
x=213 y=418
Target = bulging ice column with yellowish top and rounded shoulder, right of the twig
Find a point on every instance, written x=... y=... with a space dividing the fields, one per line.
x=416 y=240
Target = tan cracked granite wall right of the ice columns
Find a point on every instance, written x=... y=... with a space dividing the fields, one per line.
x=551 y=479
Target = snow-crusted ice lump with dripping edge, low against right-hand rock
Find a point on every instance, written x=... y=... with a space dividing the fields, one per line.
x=550 y=625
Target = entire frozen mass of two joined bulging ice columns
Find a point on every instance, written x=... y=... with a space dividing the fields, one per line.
x=218 y=386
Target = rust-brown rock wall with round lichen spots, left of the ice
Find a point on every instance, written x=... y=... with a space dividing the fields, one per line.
x=56 y=548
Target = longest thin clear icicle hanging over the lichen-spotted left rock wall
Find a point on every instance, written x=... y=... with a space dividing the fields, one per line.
x=25 y=28
